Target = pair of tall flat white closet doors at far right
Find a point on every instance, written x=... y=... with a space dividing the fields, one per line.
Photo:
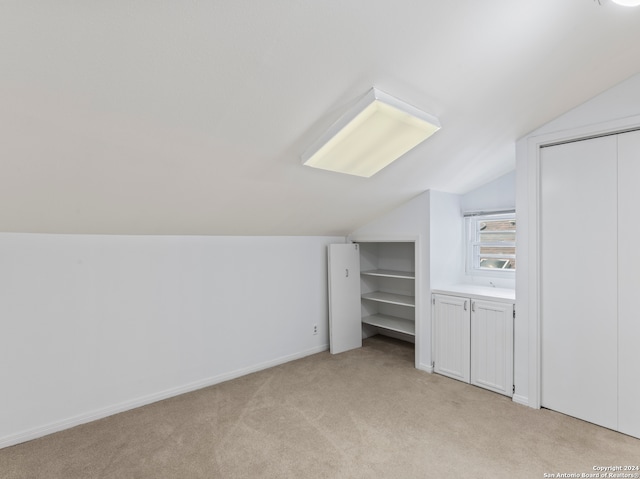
x=589 y=267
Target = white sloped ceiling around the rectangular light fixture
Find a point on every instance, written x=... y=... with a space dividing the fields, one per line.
x=189 y=117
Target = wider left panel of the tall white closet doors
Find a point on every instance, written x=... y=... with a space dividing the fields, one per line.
x=578 y=228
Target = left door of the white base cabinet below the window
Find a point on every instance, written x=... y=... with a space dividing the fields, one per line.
x=451 y=336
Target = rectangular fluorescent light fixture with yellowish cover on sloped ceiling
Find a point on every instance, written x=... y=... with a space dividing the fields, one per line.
x=378 y=130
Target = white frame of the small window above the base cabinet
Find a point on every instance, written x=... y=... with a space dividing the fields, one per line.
x=472 y=220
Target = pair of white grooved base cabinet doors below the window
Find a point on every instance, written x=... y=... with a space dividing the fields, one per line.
x=473 y=341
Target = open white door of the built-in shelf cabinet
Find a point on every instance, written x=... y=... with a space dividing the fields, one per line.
x=345 y=326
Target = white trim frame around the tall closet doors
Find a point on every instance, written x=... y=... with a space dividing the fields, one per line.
x=529 y=229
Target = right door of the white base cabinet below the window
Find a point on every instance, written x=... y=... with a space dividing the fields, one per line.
x=492 y=346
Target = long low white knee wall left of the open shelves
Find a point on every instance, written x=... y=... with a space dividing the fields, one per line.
x=93 y=325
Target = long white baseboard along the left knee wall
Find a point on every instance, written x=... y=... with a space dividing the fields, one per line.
x=56 y=426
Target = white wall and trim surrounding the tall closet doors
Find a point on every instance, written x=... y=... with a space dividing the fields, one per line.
x=602 y=112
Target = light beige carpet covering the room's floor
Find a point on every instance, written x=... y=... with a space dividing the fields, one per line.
x=366 y=413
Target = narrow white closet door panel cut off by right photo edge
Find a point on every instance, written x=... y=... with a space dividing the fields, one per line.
x=629 y=283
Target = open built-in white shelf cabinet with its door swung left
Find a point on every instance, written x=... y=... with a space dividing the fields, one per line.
x=381 y=297
